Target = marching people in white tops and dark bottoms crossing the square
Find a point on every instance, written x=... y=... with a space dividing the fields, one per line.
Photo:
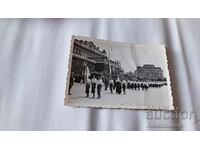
x=94 y=84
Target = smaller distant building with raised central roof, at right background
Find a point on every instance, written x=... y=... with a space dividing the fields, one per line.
x=149 y=72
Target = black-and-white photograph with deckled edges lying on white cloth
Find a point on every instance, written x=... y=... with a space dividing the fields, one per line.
x=106 y=74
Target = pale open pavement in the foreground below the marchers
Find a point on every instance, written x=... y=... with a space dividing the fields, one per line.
x=152 y=98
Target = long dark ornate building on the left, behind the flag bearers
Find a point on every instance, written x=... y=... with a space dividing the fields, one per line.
x=87 y=54
